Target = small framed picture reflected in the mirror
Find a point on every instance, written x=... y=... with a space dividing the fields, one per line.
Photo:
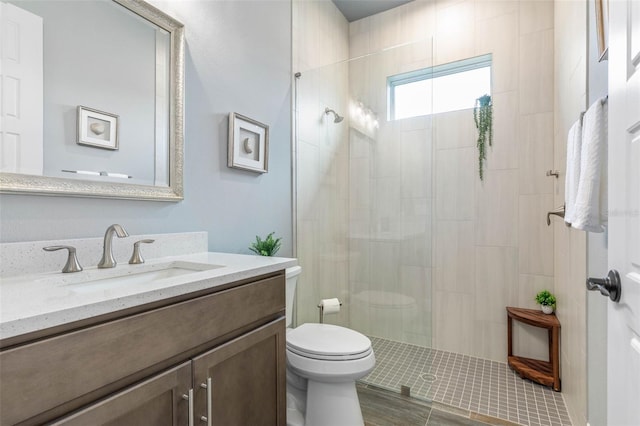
x=97 y=128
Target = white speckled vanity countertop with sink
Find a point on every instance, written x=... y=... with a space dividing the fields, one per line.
x=35 y=302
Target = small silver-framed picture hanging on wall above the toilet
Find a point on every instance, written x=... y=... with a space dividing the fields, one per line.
x=248 y=144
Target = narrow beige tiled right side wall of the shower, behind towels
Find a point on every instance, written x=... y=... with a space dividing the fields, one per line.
x=570 y=262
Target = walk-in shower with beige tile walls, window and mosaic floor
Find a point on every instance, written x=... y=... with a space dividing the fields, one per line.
x=391 y=216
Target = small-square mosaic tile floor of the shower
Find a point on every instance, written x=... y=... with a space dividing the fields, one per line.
x=472 y=384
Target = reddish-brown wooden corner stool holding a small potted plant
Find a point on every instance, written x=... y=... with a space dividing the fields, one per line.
x=544 y=372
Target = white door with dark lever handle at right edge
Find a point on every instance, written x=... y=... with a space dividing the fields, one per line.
x=623 y=372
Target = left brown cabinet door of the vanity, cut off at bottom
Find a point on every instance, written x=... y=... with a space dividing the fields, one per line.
x=157 y=401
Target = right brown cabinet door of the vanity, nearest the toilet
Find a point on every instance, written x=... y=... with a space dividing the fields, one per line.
x=247 y=380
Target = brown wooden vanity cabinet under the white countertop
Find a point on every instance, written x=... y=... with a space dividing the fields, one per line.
x=139 y=369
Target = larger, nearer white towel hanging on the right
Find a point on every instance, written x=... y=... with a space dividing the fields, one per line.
x=591 y=200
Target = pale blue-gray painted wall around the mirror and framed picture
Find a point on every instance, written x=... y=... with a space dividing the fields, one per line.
x=237 y=59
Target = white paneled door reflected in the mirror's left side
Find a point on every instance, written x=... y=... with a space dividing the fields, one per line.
x=21 y=91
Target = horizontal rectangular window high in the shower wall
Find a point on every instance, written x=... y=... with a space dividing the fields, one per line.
x=448 y=87
